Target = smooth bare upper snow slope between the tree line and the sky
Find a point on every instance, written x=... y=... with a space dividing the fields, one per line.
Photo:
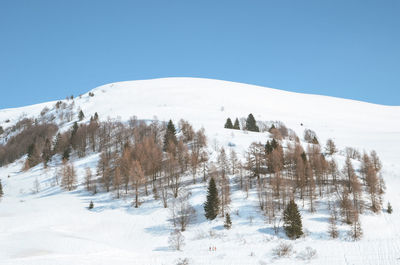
x=208 y=103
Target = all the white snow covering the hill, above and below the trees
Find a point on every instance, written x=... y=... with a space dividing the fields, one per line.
x=55 y=227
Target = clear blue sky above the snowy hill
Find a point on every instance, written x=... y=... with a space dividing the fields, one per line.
x=344 y=48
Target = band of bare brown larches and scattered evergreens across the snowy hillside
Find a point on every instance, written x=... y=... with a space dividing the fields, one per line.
x=141 y=158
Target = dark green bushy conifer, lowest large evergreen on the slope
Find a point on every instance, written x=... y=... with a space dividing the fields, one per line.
x=292 y=221
